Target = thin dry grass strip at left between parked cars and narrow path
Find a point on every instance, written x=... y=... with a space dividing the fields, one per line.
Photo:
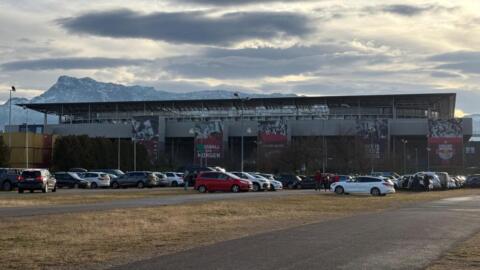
x=36 y=199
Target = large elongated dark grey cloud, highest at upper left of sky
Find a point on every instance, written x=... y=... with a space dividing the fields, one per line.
x=189 y=27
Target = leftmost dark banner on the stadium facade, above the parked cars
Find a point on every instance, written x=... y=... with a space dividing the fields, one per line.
x=145 y=131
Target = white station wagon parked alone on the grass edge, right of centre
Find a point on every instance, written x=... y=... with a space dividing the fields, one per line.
x=375 y=186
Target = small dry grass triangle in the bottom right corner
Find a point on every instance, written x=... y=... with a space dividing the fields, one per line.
x=465 y=256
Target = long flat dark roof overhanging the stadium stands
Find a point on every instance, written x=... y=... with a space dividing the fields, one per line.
x=444 y=102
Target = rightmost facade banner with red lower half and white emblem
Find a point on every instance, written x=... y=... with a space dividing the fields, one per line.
x=445 y=141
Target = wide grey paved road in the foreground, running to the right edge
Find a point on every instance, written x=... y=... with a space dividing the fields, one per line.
x=408 y=238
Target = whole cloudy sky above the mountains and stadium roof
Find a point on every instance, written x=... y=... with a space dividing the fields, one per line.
x=310 y=47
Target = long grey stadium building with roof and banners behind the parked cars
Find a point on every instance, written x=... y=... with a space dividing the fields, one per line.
x=413 y=130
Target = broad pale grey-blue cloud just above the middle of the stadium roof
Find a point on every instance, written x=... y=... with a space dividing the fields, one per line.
x=261 y=62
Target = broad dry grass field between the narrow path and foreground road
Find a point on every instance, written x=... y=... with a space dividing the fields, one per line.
x=96 y=240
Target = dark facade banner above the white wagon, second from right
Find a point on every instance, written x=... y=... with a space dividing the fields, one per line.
x=374 y=135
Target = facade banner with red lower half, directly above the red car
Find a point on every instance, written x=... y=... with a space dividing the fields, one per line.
x=209 y=140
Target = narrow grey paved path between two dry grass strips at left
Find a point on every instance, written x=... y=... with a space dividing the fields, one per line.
x=144 y=202
